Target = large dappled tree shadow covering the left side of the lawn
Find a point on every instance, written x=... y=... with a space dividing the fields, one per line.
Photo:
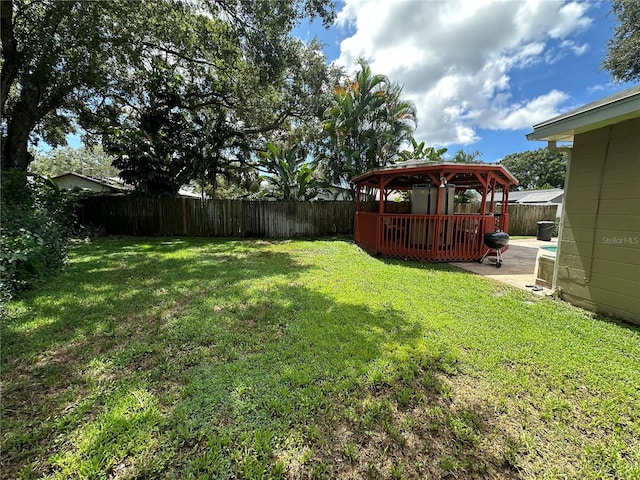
x=209 y=357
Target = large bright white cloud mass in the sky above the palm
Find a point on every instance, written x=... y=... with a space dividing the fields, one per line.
x=456 y=58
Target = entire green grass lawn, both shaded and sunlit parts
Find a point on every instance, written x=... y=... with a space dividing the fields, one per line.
x=209 y=358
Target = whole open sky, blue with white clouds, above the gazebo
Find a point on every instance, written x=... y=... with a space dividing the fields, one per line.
x=481 y=73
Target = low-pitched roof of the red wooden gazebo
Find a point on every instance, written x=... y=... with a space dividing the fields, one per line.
x=402 y=176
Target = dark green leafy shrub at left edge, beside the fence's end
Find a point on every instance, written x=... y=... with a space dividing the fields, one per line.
x=35 y=223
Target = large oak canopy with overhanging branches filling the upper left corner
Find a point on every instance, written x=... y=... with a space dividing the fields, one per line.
x=64 y=62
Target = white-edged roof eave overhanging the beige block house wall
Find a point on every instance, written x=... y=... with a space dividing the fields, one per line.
x=616 y=108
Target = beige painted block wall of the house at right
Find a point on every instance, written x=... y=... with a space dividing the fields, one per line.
x=599 y=252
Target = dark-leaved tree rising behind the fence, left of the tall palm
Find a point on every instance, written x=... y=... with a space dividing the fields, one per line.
x=182 y=125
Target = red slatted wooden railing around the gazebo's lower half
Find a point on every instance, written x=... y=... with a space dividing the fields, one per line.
x=444 y=238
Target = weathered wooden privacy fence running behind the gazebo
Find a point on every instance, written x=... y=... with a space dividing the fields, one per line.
x=240 y=218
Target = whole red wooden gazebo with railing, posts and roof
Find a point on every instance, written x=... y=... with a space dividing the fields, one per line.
x=428 y=228
